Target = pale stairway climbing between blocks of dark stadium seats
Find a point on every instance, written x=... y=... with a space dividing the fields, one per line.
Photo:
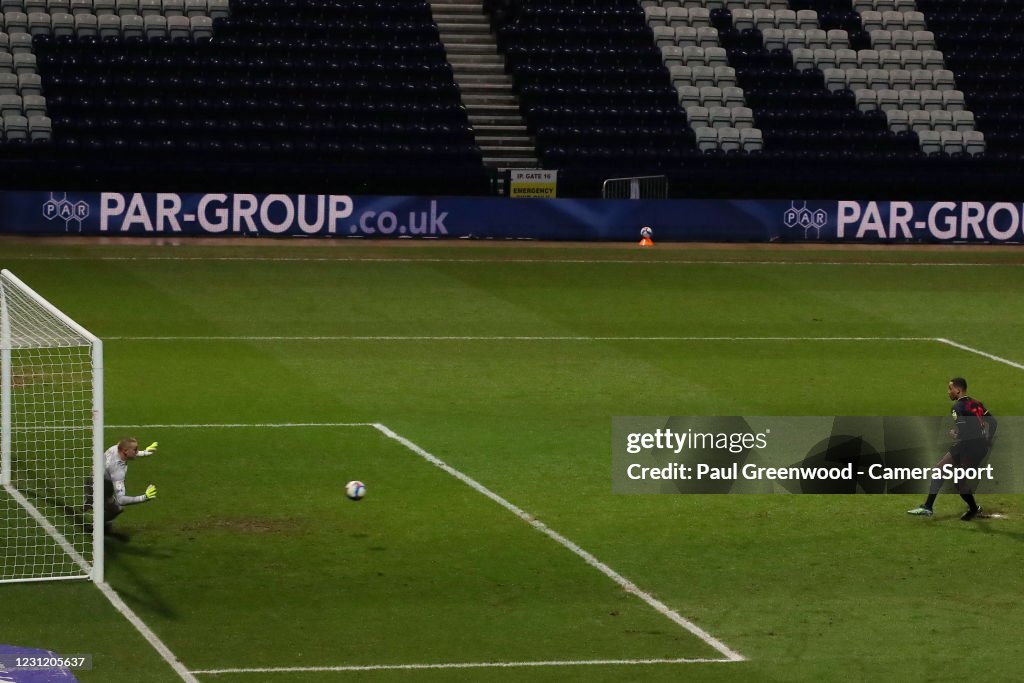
x=487 y=91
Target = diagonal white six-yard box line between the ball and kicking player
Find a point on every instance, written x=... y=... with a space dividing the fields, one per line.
x=624 y=583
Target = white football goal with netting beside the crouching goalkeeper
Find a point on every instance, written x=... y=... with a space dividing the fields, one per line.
x=52 y=432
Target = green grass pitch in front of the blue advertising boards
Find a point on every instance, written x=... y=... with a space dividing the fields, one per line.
x=508 y=363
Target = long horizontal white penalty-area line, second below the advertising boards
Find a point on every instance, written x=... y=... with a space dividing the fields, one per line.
x=506 y=338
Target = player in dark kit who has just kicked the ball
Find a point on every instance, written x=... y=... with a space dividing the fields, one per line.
x=973 y=435
